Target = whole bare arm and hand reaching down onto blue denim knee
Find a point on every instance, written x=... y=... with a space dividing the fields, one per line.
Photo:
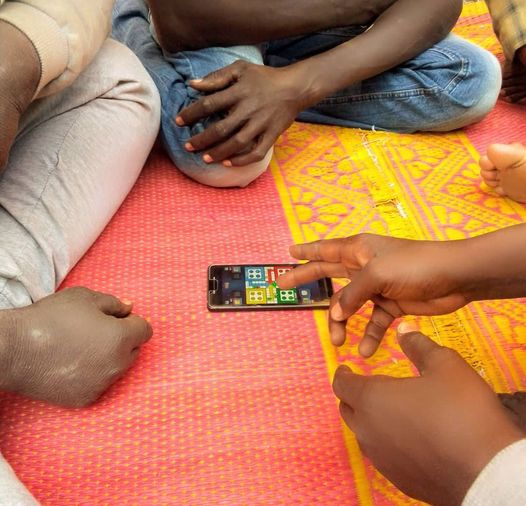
x=263 y=101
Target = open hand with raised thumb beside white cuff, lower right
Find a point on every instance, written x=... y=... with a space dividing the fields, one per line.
x=431 y=435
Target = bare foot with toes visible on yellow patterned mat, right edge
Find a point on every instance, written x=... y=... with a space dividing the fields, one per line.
x=503 y=168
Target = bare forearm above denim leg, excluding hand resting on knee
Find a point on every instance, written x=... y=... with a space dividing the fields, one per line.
x=403 y=31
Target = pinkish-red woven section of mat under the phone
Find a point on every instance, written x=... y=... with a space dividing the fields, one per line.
x=220 y=409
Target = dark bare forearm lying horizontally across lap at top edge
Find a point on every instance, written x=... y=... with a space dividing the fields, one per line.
x=183 y=25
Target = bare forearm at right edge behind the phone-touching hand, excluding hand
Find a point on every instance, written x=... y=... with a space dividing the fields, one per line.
x=493 y=266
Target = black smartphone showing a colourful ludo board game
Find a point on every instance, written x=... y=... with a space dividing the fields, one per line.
x=253 y=287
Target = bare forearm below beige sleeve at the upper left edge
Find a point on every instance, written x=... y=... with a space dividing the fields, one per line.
x=19 y=77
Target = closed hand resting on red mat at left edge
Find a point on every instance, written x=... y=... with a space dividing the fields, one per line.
x=68 y=348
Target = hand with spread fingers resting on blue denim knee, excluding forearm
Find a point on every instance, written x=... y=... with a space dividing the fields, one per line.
x=259 y=103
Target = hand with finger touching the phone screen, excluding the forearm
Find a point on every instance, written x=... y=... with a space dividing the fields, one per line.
x=400 y=276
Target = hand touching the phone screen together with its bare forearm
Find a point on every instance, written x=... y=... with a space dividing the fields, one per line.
x=410 y=277
